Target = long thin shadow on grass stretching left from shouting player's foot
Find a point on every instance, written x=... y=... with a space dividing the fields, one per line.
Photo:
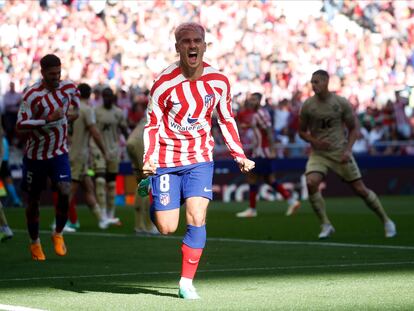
x=81 y=288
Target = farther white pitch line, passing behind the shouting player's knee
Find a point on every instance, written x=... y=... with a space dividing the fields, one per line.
x=246 y=241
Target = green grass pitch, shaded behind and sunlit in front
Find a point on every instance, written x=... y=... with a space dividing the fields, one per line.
x=271 y=262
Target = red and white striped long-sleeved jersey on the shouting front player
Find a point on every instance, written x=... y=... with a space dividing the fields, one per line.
x=178 y=130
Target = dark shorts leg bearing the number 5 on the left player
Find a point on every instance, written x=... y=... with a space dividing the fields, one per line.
x=34 y=176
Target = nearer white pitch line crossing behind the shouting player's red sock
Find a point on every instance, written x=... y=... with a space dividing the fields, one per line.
x=247 y=269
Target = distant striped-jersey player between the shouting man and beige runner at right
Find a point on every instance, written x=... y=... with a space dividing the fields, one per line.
x=263 y=153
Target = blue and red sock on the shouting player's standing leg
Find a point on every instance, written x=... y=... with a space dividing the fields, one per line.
x=192 y=248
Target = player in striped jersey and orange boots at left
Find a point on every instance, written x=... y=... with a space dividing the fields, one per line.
x=44 y=116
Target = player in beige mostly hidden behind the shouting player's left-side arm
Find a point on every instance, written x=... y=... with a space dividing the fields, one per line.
x=135 y=149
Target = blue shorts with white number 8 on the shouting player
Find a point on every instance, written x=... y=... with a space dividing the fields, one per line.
x=172 y=185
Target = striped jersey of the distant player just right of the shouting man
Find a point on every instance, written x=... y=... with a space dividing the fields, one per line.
x=261 y=122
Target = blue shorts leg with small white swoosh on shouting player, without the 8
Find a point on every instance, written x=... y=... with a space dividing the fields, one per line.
x=198 y=181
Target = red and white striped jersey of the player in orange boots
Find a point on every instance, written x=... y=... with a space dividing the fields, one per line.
x=49 y=140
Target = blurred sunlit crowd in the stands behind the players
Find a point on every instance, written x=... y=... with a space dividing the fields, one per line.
x=270 y=47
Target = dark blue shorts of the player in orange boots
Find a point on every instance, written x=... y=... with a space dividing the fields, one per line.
x=36 y=172
